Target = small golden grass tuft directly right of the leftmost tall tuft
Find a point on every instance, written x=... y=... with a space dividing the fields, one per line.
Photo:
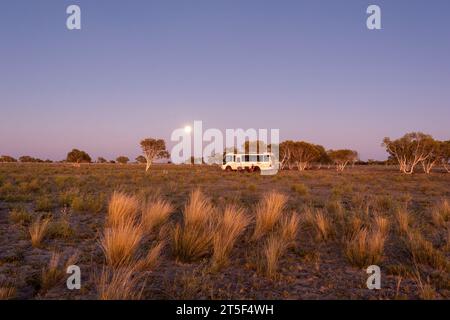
x=155 y=213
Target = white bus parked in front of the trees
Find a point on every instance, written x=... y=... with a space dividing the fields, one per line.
x=252 y=162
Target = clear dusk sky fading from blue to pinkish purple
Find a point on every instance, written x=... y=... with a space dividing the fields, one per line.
x=141 y=69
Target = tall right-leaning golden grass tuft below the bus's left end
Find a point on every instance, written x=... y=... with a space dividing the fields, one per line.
x=231 y=225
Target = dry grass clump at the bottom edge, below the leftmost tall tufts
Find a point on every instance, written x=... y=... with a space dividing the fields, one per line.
x=123 y=283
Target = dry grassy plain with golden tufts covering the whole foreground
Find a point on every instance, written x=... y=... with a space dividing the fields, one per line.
x=195 y=232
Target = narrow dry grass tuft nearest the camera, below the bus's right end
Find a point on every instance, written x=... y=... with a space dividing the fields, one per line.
x=273 y=250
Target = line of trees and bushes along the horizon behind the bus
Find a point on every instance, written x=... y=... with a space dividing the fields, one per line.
x=412 y=150
